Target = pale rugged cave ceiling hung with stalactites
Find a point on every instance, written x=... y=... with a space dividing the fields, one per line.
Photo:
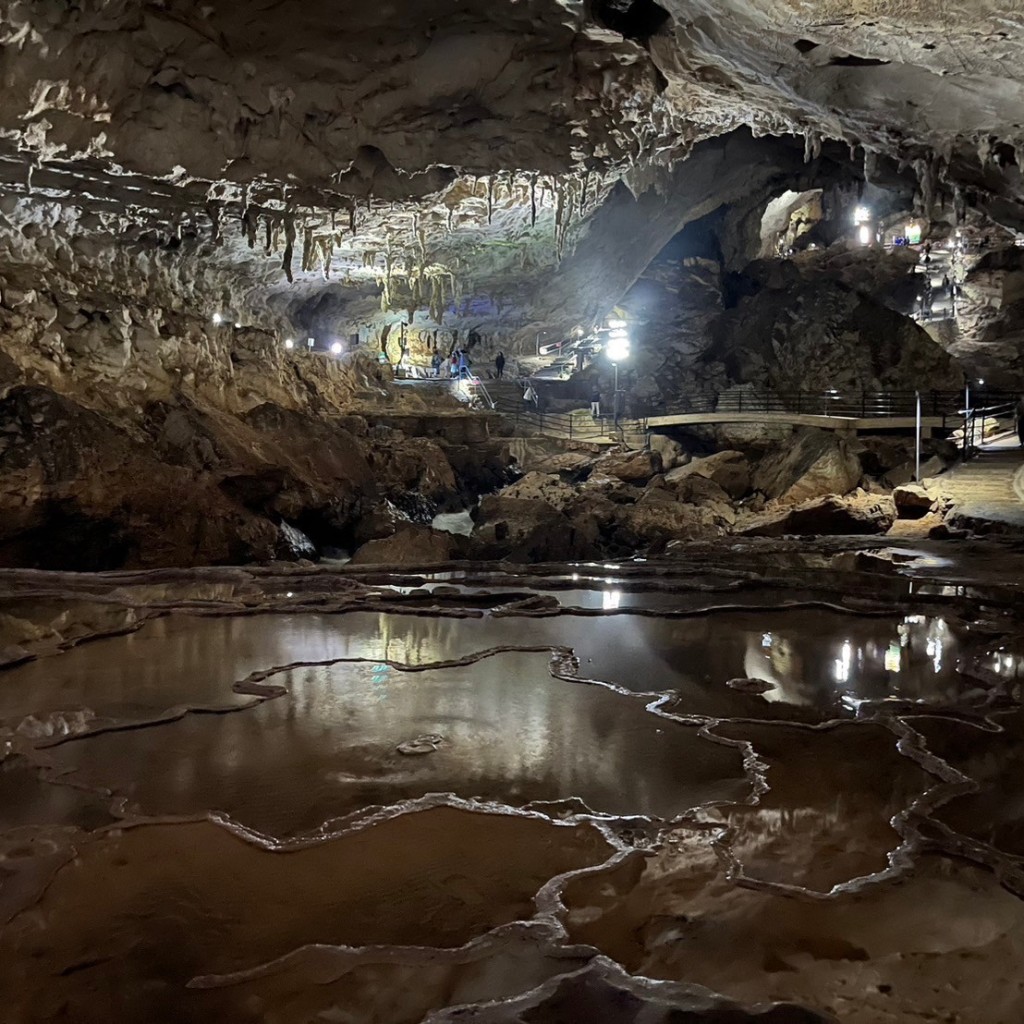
x=454 y=157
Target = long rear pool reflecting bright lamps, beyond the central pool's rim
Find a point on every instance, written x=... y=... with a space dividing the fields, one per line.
x=820 y=661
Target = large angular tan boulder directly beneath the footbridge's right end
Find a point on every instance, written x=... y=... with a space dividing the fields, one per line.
x=815 y=464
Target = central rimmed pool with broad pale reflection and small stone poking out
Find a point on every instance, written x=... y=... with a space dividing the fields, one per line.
x=510 y=734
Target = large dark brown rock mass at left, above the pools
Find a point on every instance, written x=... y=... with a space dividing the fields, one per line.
x=181 y=485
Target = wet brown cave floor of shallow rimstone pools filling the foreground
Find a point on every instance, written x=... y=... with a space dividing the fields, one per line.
x=758 y=773
